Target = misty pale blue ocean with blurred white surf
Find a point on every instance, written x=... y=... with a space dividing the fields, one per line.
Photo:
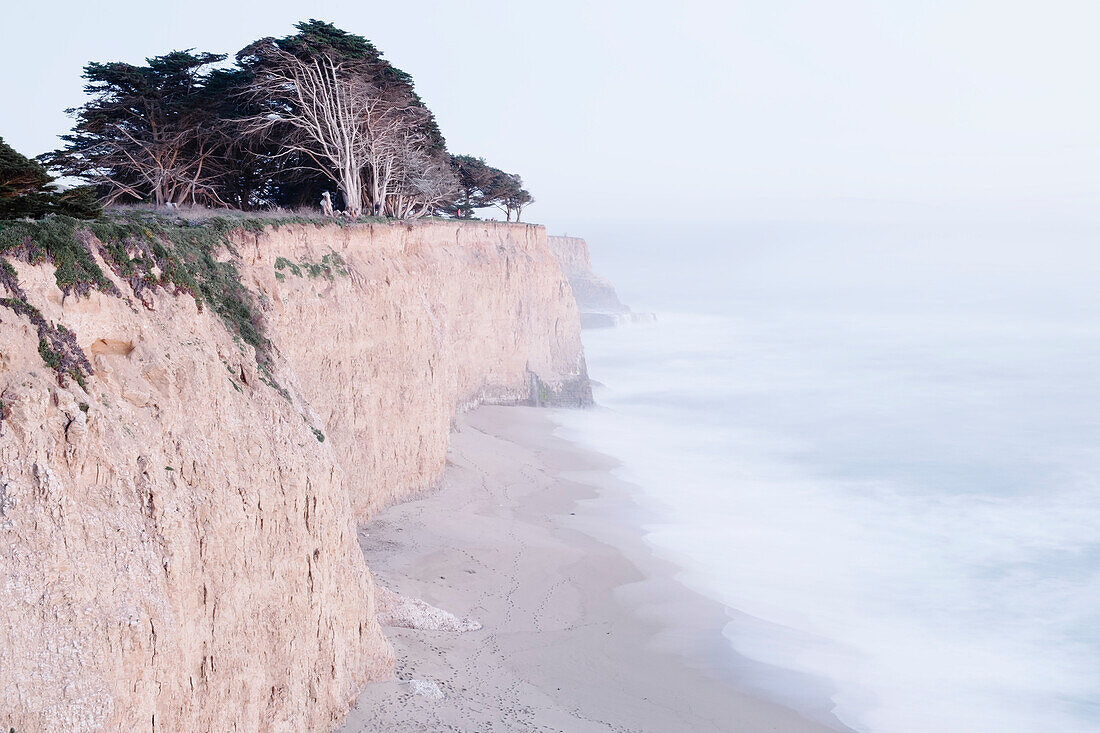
x=878 y=445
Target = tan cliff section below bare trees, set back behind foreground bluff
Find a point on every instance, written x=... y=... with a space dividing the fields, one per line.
x=428 y=320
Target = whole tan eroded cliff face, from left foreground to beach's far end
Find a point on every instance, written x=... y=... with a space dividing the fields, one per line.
x=179 y=537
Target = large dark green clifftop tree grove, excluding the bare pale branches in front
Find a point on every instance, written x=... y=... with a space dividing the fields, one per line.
x=177 y=130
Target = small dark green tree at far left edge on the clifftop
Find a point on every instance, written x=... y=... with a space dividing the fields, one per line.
x=27 y=191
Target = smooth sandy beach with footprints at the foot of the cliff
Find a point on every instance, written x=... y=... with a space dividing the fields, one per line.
x=582 y=629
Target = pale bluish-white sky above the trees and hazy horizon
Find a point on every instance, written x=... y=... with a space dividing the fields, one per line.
x=675 y=111
